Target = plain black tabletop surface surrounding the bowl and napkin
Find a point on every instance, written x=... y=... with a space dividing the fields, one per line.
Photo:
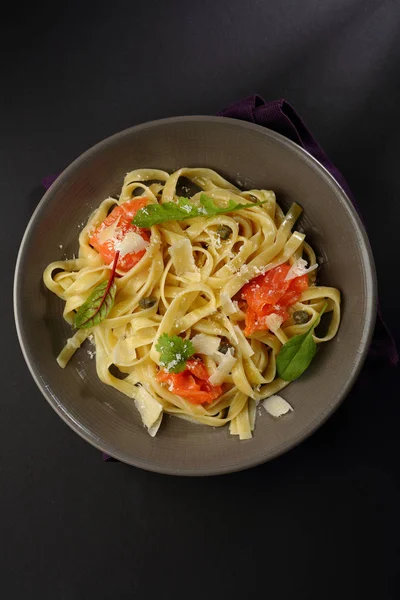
x=321 y=521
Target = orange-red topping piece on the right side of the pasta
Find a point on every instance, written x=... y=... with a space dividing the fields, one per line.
x=270 y=293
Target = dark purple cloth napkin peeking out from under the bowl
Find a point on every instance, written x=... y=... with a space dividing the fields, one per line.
x=281 y=117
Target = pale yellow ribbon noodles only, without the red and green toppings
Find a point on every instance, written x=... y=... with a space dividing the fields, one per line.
x=195 y=277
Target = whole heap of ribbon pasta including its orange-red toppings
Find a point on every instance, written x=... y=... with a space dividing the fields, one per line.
x=236 y=286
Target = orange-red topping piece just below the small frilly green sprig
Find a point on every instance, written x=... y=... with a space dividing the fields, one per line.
x=192 y=383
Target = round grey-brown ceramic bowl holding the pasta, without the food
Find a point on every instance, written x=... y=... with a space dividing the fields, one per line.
x=253 y=157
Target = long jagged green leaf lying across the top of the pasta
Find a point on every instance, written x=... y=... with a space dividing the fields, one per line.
x=154 y=214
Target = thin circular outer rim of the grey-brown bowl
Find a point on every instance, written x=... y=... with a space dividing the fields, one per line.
x=359 y=359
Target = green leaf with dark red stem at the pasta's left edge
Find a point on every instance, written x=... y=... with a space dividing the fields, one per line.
x=97 y=307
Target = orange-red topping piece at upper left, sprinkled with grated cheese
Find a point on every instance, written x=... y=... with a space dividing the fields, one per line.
x=124 y=214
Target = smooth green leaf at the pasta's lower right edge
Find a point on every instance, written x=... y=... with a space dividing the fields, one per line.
x=296 y=355
